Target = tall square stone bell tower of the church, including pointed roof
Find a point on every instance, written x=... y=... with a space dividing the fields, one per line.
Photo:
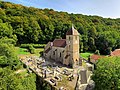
x=72 y=41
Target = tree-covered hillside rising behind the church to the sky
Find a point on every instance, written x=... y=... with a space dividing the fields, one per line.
x=33 y=25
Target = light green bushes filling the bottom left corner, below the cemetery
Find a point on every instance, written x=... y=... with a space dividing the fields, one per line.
x=9 y=80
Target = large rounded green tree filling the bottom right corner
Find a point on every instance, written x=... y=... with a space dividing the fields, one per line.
x=107 y=74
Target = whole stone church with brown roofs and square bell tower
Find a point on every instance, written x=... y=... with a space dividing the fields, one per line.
x=65 y=51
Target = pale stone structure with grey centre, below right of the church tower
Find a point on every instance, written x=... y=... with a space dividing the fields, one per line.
x=84 y=81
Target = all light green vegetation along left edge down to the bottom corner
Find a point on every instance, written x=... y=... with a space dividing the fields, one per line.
x=9 y=64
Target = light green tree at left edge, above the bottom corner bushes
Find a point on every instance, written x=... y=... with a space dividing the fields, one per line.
x=8 y=56
